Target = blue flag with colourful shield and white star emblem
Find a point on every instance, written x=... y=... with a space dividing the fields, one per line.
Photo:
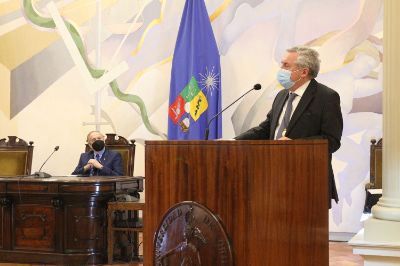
x=195 y=95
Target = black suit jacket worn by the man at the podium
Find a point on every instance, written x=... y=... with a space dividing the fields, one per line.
x=317 y=116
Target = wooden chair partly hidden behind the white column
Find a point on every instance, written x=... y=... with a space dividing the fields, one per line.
x=373 y=189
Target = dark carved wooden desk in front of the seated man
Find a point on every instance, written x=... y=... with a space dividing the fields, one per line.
x=58 y=220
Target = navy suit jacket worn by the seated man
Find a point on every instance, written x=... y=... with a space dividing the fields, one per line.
x=111 y=161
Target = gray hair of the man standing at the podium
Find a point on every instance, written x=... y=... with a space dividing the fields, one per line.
x=308 y=58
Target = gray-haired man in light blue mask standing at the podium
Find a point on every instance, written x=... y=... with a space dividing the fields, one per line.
x=305 y=109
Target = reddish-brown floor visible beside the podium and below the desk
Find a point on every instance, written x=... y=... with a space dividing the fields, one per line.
x=340 y=254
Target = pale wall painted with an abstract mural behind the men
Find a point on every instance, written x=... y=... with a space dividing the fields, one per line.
x=45 y=97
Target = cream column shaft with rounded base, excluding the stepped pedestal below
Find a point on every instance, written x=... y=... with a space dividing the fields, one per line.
x=388 y=207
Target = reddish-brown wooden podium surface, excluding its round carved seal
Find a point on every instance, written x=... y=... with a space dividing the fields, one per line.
x=270 y=195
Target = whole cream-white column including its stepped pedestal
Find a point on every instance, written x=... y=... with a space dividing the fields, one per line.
x=379 y=241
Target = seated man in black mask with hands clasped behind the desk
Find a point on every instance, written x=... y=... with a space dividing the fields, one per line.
x=99 y=161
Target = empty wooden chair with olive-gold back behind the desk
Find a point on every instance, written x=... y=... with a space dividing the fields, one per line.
x=15 y=156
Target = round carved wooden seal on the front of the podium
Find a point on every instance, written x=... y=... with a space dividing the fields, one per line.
x=190 y=234
